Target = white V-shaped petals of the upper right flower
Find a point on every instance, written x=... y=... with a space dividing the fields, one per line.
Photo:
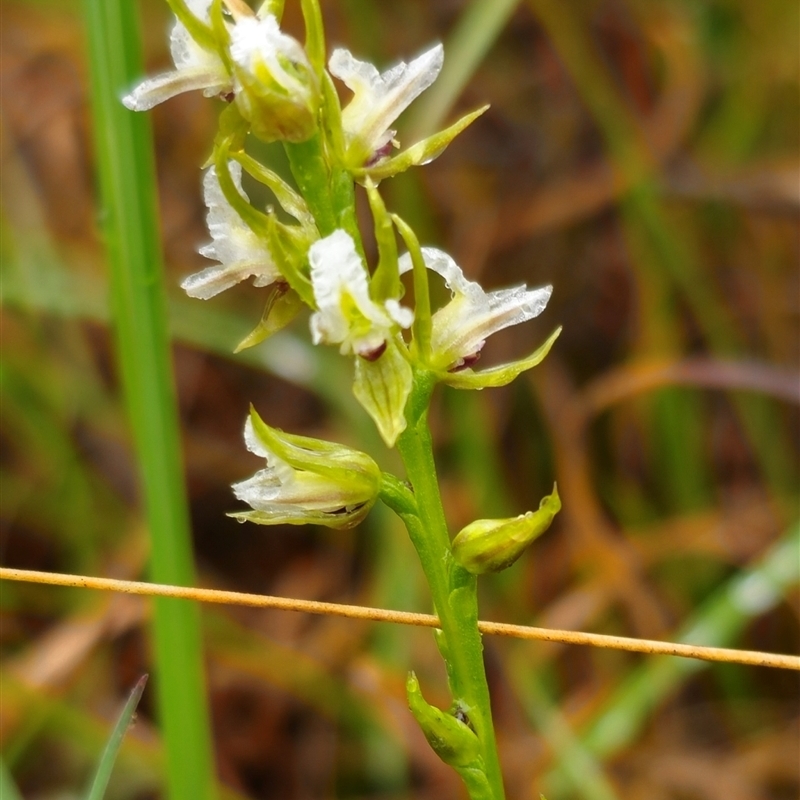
x=379 y=99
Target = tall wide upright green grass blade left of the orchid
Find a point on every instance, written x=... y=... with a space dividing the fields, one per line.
x=125 y=161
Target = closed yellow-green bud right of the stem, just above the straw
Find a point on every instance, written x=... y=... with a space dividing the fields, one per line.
x=491 y=545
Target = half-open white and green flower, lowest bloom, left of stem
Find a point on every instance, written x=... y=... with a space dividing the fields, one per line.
x=306 y=481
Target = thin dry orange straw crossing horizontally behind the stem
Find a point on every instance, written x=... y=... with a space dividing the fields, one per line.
x=749 y=657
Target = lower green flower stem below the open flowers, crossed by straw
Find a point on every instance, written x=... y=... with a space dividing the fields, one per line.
x=453 y=589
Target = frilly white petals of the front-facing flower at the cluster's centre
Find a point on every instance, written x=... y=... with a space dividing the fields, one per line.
x=346 y=313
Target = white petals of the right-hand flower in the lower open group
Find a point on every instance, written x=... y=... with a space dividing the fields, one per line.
x=460 y=328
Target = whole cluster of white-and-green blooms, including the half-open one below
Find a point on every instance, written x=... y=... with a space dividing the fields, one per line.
x=281 y=91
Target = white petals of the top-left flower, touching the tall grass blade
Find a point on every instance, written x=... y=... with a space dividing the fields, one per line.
x=195 y=68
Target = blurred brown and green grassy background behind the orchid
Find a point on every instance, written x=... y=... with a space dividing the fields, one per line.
x=640 y=156
